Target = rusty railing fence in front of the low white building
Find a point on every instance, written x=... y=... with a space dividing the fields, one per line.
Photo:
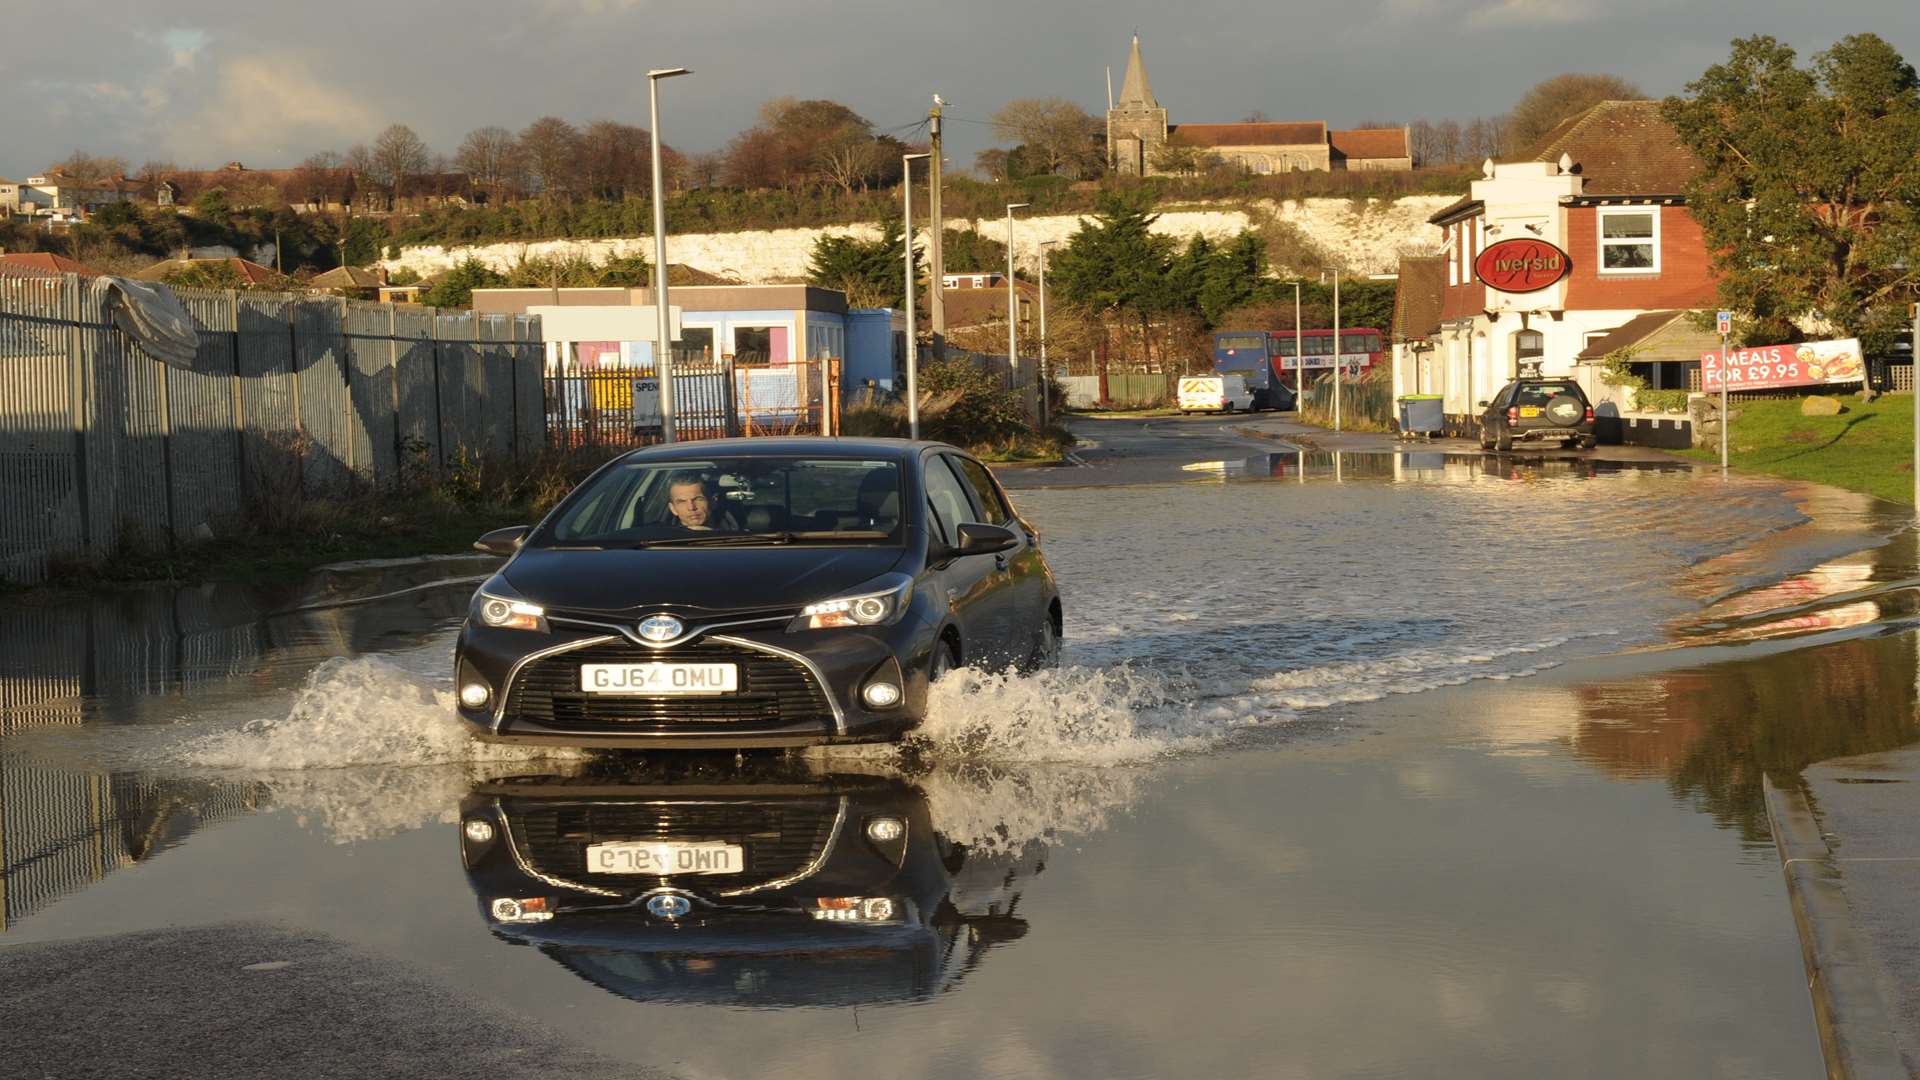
x=711 y=401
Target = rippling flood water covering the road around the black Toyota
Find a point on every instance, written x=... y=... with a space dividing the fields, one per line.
x=1358 y=766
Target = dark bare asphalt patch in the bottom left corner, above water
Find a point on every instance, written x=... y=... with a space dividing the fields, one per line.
x=254 y=1000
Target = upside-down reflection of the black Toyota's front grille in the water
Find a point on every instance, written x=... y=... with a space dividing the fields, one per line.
x=779 y=839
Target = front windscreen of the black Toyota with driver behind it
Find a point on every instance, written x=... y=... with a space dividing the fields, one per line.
x=732 y=503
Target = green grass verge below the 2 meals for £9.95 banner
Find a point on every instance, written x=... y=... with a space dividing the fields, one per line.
x=1867 y=449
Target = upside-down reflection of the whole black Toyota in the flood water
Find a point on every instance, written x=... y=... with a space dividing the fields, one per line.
x=767 y=889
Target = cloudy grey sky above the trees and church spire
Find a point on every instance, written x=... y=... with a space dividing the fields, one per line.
x=203 y=84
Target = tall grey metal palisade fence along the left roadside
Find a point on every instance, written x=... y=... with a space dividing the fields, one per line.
x=103 y=445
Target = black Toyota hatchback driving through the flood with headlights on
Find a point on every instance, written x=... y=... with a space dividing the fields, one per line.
x=754 y=595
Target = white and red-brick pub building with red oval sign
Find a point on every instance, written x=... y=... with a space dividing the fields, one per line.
x=1550 y=255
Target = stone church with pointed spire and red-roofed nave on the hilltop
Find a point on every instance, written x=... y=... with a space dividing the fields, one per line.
x=1141 y=143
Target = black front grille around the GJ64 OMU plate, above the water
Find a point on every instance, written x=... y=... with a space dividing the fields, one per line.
x=775 y=693
